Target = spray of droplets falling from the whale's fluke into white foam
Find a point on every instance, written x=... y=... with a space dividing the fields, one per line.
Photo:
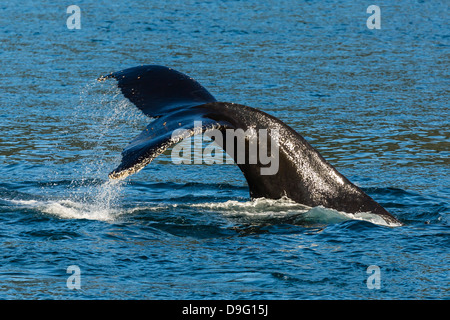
x=97 y=126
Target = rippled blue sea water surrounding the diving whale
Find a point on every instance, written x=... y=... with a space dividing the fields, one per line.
x=373 y=102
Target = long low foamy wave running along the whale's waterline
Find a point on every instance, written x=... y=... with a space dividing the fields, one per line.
x=257 y=211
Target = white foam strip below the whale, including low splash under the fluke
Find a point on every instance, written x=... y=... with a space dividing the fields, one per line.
x=103 y=207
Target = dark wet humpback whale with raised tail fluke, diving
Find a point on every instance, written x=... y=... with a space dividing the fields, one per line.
x=176 y=101
